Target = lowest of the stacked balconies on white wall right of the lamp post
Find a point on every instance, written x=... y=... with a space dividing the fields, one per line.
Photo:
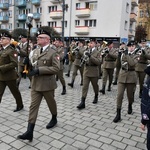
x=82 y=30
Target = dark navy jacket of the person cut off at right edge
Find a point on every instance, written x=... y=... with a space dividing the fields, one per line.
x=145 y=103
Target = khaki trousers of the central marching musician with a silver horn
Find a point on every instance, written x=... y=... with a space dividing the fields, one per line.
x=86 y=82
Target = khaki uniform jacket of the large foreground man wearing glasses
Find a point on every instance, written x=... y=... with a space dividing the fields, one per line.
x=48 y=63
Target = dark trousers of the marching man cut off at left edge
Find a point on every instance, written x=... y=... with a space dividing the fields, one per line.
x=14 y=90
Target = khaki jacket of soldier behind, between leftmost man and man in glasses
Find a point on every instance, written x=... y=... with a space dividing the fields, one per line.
x=22 y=54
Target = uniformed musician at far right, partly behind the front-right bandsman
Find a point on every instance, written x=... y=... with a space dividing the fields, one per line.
x=142 y=64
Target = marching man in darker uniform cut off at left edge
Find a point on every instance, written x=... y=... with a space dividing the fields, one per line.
x=8 y=73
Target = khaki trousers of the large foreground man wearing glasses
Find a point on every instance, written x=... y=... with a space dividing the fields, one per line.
x=36 y=98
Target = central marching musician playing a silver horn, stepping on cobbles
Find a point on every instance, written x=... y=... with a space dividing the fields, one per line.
x=90 y=73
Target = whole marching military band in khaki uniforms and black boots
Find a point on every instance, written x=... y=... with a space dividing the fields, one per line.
x=43 y=64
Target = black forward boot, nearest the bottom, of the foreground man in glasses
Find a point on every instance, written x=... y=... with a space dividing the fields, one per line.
x=28 y=135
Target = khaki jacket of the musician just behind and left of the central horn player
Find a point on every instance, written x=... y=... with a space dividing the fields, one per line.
x=78 y=56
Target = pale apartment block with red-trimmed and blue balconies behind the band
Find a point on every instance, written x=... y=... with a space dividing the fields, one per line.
x=101 y=19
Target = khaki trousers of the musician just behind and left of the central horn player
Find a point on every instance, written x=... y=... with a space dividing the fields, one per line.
x=75 y=70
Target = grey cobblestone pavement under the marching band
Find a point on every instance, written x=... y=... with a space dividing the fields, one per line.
x=88 y=129
